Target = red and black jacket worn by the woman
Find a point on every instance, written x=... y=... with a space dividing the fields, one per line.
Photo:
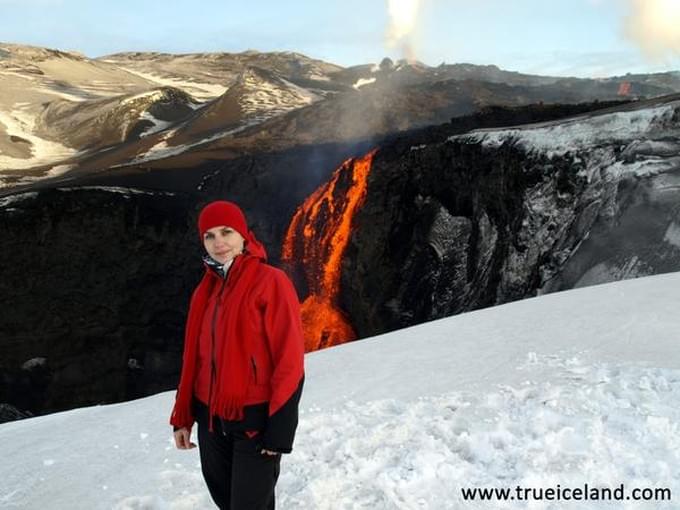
x=256 y=304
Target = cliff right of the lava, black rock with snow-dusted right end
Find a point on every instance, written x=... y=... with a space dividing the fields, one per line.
x=477 y=220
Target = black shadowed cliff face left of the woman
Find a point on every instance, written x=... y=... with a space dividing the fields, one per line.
x=95 y=287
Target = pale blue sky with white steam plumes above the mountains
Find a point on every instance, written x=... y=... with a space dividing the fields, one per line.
x=560 y=37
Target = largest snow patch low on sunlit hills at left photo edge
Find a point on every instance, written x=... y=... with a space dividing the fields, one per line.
x=21 y=124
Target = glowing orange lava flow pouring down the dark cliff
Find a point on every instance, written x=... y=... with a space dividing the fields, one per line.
x=316 y=238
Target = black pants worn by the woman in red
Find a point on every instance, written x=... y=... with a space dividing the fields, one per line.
x=238 y=476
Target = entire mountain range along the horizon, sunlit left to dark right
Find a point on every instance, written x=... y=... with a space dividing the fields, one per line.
x=253 y=102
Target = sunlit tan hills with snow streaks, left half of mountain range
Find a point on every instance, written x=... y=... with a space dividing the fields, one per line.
x=58 y=108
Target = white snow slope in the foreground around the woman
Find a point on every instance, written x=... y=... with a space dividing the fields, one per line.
x=572 y=388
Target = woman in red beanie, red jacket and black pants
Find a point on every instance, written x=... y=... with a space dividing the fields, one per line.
x=243 y=369
